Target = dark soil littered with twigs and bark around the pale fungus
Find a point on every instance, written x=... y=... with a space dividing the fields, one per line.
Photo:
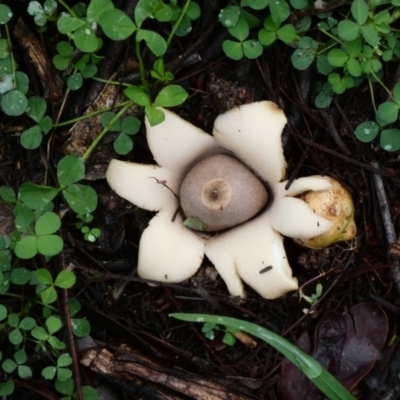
x=168 y=359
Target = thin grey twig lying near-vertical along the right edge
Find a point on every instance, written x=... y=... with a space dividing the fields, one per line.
x=388 y=224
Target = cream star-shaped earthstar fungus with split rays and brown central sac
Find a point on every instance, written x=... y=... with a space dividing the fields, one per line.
x=251 y=249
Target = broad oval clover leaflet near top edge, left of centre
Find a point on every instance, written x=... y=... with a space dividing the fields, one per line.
x=116 y=24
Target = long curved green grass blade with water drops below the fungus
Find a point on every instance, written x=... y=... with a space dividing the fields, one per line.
x=332 y=388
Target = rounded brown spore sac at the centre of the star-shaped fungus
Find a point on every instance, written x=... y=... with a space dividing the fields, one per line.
x=222 y=192
